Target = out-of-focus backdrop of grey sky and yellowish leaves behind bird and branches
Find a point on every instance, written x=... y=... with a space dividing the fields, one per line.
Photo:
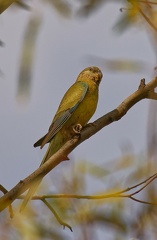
x=43 y=47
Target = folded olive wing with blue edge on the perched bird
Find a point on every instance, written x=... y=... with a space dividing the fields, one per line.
x=68 y=105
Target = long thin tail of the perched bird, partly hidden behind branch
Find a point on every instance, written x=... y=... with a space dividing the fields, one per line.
x=35 y=185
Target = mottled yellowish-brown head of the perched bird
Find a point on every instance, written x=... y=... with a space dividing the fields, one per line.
x=92 y=73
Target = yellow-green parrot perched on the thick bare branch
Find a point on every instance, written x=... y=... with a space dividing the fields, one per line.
x=77 y=107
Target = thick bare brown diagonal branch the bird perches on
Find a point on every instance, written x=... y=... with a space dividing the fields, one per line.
x=144 y=91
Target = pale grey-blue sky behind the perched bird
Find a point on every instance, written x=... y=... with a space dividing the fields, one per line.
x=63 y=48
